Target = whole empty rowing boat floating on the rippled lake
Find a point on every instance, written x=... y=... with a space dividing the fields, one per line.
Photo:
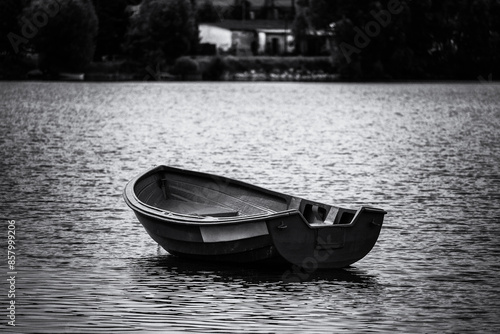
x=215 y=218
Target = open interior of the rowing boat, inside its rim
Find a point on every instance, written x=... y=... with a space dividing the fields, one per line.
x=203 y=195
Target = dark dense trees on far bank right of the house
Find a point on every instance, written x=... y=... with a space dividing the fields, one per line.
x=411 y=39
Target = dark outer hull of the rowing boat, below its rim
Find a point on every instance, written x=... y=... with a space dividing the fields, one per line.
x=282 y=240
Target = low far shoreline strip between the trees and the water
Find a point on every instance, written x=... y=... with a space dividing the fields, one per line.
x=220 y=69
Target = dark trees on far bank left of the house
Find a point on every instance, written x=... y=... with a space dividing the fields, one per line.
x=69 y=34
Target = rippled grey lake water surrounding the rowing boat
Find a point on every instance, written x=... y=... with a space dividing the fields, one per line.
x=429 y=154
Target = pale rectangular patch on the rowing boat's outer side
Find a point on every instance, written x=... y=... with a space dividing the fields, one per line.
x=221 y=233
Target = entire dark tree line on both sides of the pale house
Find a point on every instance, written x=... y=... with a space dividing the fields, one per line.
x=383 y=39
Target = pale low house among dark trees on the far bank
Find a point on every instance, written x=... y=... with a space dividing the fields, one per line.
x=249 y=37
